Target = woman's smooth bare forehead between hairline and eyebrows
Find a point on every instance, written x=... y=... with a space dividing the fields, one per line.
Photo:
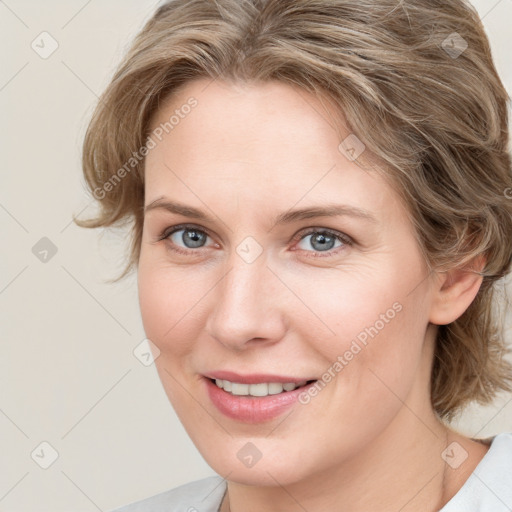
x=256 y=141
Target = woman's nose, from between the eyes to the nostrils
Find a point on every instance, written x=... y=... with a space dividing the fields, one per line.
x=247 y=306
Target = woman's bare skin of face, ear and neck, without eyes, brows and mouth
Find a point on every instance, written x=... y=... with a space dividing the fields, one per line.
x=369 y=440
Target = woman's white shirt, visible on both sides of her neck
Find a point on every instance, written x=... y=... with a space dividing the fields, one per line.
x=488 y=489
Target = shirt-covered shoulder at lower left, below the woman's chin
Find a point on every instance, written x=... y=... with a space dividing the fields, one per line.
x=200 y=496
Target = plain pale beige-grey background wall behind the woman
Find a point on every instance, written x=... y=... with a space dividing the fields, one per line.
x=68 y=373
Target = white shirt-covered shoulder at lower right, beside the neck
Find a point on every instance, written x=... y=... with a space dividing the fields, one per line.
x=489 y=487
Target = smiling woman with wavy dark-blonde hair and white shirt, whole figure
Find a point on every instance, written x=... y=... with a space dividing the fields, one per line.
x=318 y=191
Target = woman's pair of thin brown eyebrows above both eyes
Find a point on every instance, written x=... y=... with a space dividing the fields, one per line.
x=330 y=210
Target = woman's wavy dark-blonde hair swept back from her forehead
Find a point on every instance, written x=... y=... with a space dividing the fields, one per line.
x=415 y=82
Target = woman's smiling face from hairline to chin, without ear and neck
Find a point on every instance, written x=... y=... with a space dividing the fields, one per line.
x=269 y=257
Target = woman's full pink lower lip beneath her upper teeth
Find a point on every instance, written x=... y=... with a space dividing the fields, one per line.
x=252 y=409
